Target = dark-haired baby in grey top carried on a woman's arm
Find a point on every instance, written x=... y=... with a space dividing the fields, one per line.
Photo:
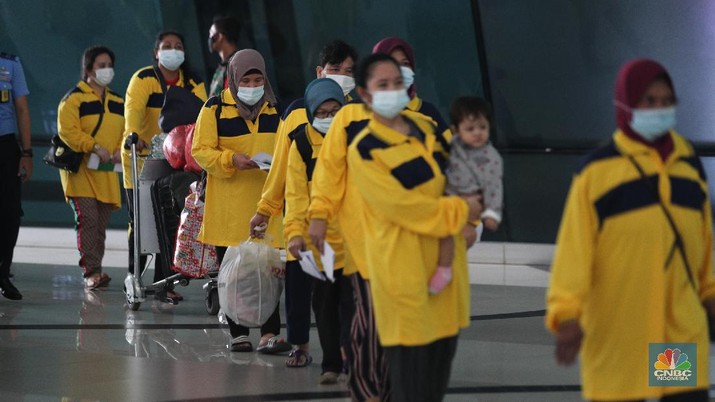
x=474 y=167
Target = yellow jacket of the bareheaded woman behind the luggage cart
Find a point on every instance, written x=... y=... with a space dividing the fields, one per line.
x=143 y=105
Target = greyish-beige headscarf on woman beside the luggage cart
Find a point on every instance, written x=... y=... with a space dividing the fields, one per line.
x=242 y=62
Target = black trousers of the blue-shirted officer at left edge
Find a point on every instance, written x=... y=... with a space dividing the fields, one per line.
x=10 y=207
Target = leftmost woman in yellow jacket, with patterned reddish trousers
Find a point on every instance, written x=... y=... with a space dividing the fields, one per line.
x=90 y=119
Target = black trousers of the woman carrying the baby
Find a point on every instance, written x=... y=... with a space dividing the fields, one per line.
x=420 y=373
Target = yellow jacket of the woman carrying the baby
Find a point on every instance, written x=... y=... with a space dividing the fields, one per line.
x=401 y=184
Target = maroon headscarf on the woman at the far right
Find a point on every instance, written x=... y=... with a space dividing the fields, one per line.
x=633 y=80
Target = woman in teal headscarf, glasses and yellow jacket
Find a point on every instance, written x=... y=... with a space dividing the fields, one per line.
x=331 y=300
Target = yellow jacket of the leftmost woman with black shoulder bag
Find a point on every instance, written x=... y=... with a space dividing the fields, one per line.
x=77 y=116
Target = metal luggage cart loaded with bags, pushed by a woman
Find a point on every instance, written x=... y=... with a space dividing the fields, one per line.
x=145 y=237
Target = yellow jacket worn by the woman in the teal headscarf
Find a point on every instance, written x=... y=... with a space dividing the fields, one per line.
x=297 y=195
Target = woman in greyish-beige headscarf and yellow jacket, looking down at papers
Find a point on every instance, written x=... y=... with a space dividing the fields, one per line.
x=229 y=131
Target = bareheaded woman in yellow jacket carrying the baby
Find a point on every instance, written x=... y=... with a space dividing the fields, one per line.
x=401 y=183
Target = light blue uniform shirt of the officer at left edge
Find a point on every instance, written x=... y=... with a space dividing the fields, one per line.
x=12 y=85
